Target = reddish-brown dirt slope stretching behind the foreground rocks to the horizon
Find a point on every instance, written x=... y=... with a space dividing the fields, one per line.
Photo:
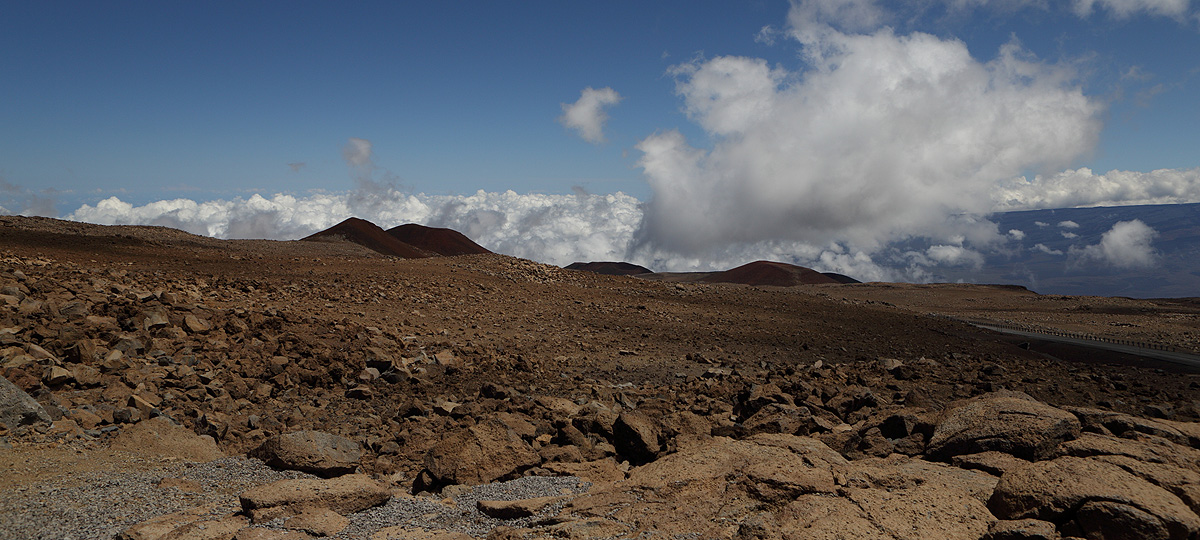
x=545 y=331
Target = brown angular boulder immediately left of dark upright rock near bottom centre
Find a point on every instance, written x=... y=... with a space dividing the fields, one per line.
x=481 y=454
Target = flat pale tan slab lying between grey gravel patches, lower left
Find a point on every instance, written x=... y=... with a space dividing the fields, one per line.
x=344 y=495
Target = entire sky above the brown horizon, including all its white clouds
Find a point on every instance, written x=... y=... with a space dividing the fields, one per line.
x=705 y=133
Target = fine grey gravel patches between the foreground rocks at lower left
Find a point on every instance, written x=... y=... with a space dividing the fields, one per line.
x=100 y=506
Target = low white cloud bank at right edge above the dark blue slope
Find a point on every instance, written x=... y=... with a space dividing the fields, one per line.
x=1083 y=188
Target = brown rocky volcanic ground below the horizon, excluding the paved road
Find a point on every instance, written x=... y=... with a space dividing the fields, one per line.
x=367 y=397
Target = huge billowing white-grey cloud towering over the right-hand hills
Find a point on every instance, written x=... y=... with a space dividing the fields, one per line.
x=880 y=137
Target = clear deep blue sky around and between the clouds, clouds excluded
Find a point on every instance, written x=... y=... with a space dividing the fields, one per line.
x=206 y=99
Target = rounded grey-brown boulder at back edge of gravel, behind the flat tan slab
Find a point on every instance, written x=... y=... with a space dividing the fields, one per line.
x=313 y=452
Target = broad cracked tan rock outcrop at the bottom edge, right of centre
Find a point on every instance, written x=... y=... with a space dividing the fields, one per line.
x=785 y=487
